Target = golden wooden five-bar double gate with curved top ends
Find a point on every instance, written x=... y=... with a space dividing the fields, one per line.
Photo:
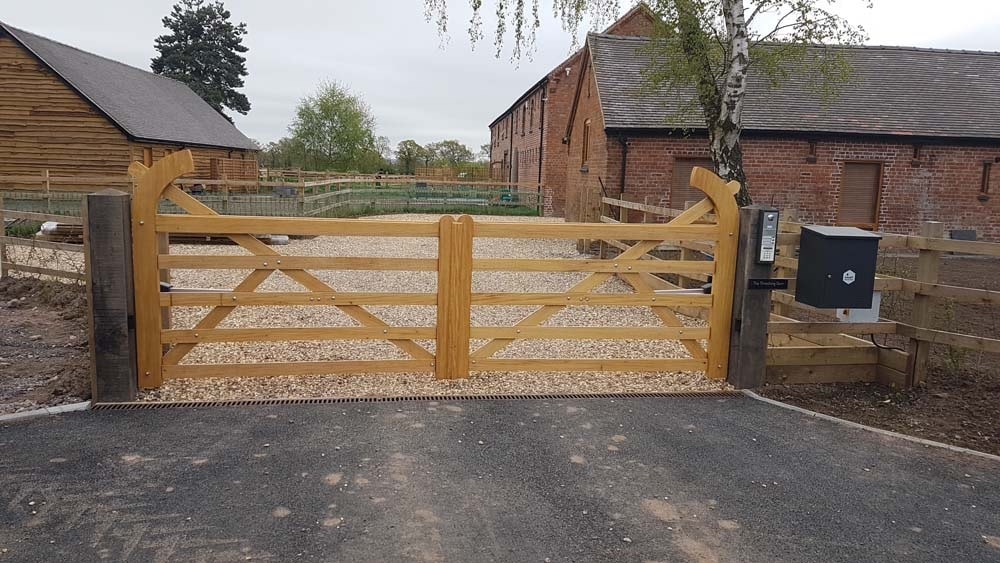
x=161 y=350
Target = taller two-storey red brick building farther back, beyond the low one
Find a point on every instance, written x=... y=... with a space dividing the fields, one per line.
x=527 y=139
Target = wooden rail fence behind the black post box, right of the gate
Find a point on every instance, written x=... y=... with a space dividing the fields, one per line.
x=823 y=349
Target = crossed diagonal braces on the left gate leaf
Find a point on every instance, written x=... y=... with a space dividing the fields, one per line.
x=258 y=277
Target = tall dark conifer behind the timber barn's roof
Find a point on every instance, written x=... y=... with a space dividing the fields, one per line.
x=203 y=49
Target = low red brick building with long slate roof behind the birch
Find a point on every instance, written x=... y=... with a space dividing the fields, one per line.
x=914 y=137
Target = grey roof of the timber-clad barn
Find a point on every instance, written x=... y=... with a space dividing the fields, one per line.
x=144 y=105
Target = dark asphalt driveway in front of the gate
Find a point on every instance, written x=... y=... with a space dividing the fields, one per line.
x=674 y=479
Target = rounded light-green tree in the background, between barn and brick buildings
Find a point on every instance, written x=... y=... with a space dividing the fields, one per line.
x=336 y=130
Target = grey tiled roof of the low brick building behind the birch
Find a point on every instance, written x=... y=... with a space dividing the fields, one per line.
x=894 y=91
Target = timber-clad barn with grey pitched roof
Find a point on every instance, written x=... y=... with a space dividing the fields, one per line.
x=73 y=113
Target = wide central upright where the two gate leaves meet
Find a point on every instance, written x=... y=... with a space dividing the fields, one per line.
x=454 y=309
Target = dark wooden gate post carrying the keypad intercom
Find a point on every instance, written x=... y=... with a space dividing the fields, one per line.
x=751 y=307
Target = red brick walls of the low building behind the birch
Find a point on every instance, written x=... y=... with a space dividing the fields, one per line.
x=945 y=186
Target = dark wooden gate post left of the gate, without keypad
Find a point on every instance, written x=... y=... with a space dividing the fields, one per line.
x=108 y=248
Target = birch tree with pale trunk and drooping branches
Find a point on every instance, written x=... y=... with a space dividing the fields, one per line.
x=707 y=47
